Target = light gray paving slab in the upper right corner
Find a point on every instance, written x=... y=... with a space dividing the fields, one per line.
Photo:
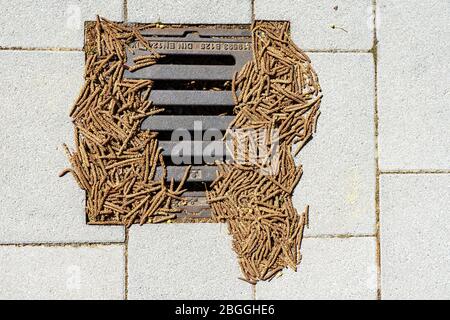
x=413 y=84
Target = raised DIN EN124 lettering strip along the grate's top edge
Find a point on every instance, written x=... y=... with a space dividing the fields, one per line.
x=201 y=46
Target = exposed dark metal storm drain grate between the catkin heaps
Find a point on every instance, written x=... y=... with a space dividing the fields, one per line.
x=192 y=82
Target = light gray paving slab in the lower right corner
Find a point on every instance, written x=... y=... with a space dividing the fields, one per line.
x=415 y=236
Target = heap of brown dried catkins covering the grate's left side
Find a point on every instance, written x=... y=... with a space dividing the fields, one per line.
x=113 y=161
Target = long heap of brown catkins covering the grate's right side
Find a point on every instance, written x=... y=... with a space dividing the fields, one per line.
x=278 y=91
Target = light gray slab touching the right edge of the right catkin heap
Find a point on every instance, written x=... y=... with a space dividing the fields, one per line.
x=339 y=162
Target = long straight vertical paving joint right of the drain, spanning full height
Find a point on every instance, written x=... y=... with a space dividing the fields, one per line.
x=374 y=52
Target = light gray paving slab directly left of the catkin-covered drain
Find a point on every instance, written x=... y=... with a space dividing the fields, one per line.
x=38 y=89
